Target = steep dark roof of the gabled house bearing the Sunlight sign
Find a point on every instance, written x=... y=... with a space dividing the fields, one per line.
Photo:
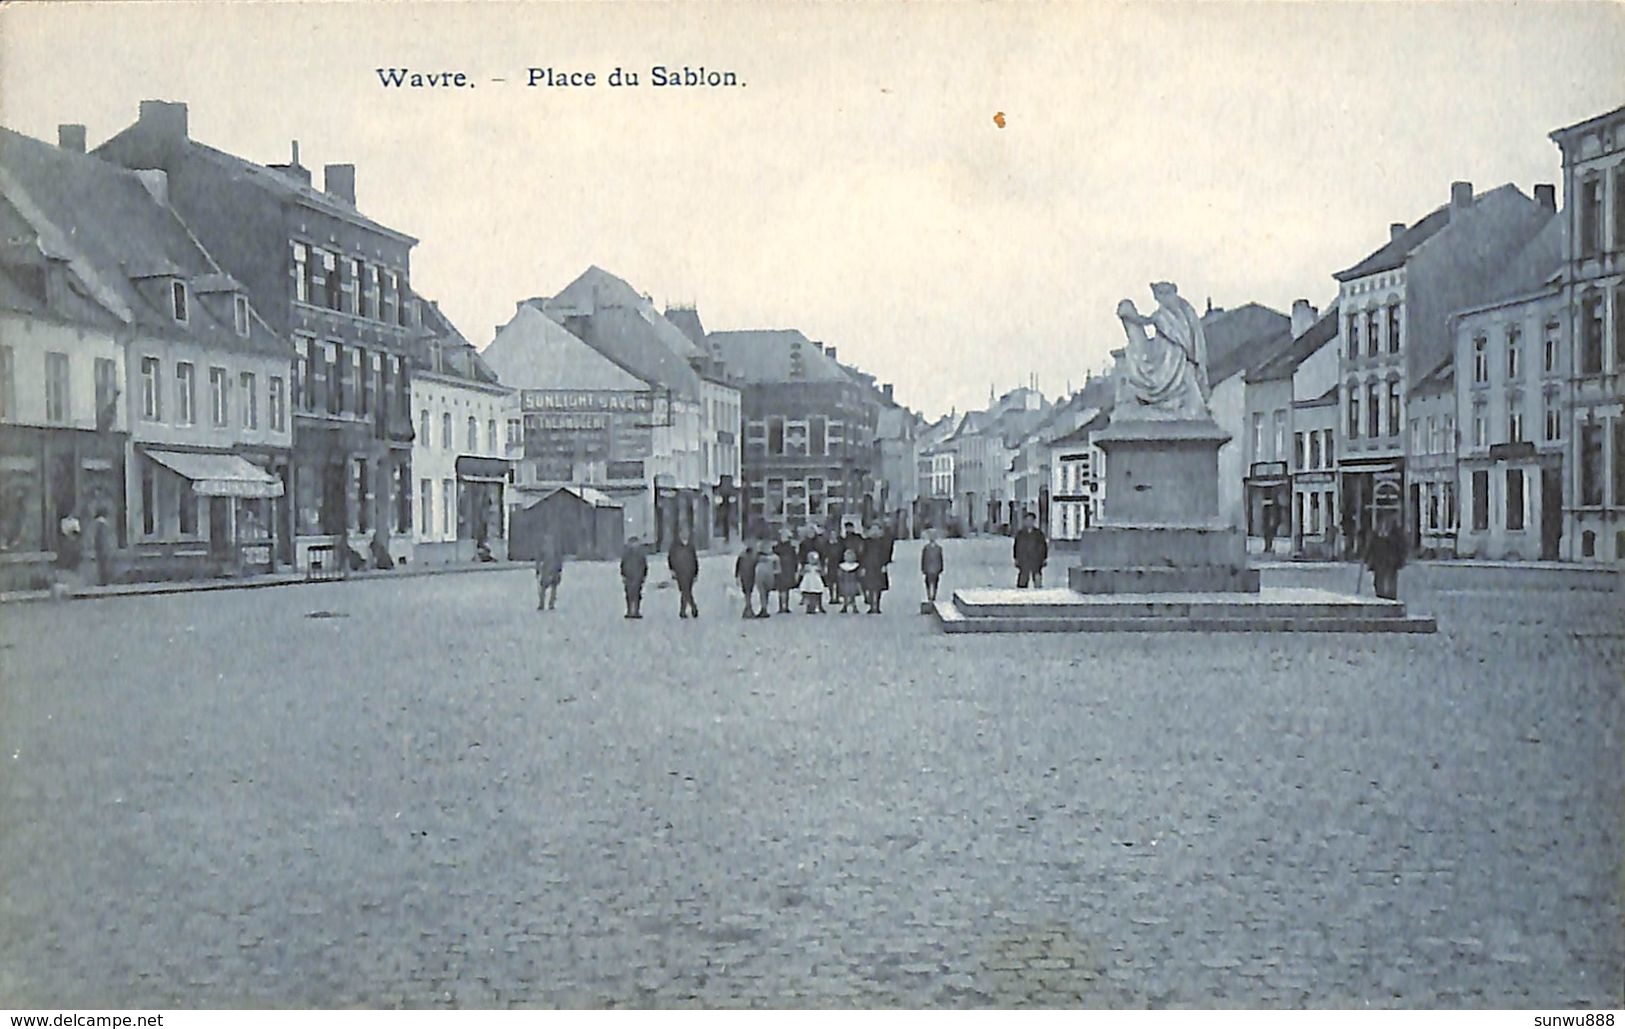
x=623 y=326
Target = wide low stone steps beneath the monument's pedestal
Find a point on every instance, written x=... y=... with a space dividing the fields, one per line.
x=1272 y=610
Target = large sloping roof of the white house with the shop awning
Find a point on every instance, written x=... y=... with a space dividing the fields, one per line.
x=113 y=233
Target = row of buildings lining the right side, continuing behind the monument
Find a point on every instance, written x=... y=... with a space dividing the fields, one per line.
x=1468 y=375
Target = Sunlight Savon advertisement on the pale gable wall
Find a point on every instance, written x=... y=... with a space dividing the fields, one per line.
x=576 y=427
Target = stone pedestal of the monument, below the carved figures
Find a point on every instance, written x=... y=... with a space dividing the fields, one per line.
x=1161 y=529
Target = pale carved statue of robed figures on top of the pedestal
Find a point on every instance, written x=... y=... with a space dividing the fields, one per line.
x=1163 y=376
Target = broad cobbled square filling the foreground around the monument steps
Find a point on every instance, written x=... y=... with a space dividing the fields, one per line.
x=430 y=794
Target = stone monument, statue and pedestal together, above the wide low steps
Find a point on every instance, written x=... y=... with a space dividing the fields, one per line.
x=1161 y=529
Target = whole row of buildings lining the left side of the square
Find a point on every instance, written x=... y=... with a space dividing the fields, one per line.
x=228 y=360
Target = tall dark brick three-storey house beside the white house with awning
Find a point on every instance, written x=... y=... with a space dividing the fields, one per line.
x=331 y=282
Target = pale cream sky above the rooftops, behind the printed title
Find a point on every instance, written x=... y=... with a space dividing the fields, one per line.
x=859 y=188
